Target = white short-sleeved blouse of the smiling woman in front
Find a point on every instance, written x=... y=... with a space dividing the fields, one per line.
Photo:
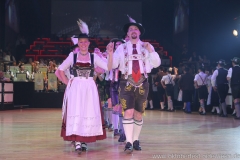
x=69 y=62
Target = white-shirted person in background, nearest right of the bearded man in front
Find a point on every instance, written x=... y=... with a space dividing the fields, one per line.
x=168 y=83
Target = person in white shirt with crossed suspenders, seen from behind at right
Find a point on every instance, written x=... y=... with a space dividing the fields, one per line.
x=200 y=82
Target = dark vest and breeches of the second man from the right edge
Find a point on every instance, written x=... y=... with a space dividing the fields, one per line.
x=222 y=84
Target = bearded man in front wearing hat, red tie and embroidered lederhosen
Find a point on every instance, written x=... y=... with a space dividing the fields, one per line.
x=134 y=59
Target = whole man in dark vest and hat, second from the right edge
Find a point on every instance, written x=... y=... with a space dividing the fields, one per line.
x=220 y=85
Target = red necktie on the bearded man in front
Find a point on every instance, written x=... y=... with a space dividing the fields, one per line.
x=135 y=66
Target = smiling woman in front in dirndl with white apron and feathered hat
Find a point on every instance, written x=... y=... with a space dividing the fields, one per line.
x=81 y=113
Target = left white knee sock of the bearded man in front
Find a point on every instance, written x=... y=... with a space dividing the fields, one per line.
x=128 y=128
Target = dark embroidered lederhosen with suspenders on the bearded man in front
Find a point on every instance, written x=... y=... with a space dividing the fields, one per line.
x=133 y=95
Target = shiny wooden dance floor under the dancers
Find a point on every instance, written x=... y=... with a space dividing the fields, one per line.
x=34 y=134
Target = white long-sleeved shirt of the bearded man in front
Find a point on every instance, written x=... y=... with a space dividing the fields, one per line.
x=152 y=59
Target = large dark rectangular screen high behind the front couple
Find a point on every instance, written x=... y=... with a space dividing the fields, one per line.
x=104 y=18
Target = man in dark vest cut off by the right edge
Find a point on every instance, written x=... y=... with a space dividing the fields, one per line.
x=234 y=78
